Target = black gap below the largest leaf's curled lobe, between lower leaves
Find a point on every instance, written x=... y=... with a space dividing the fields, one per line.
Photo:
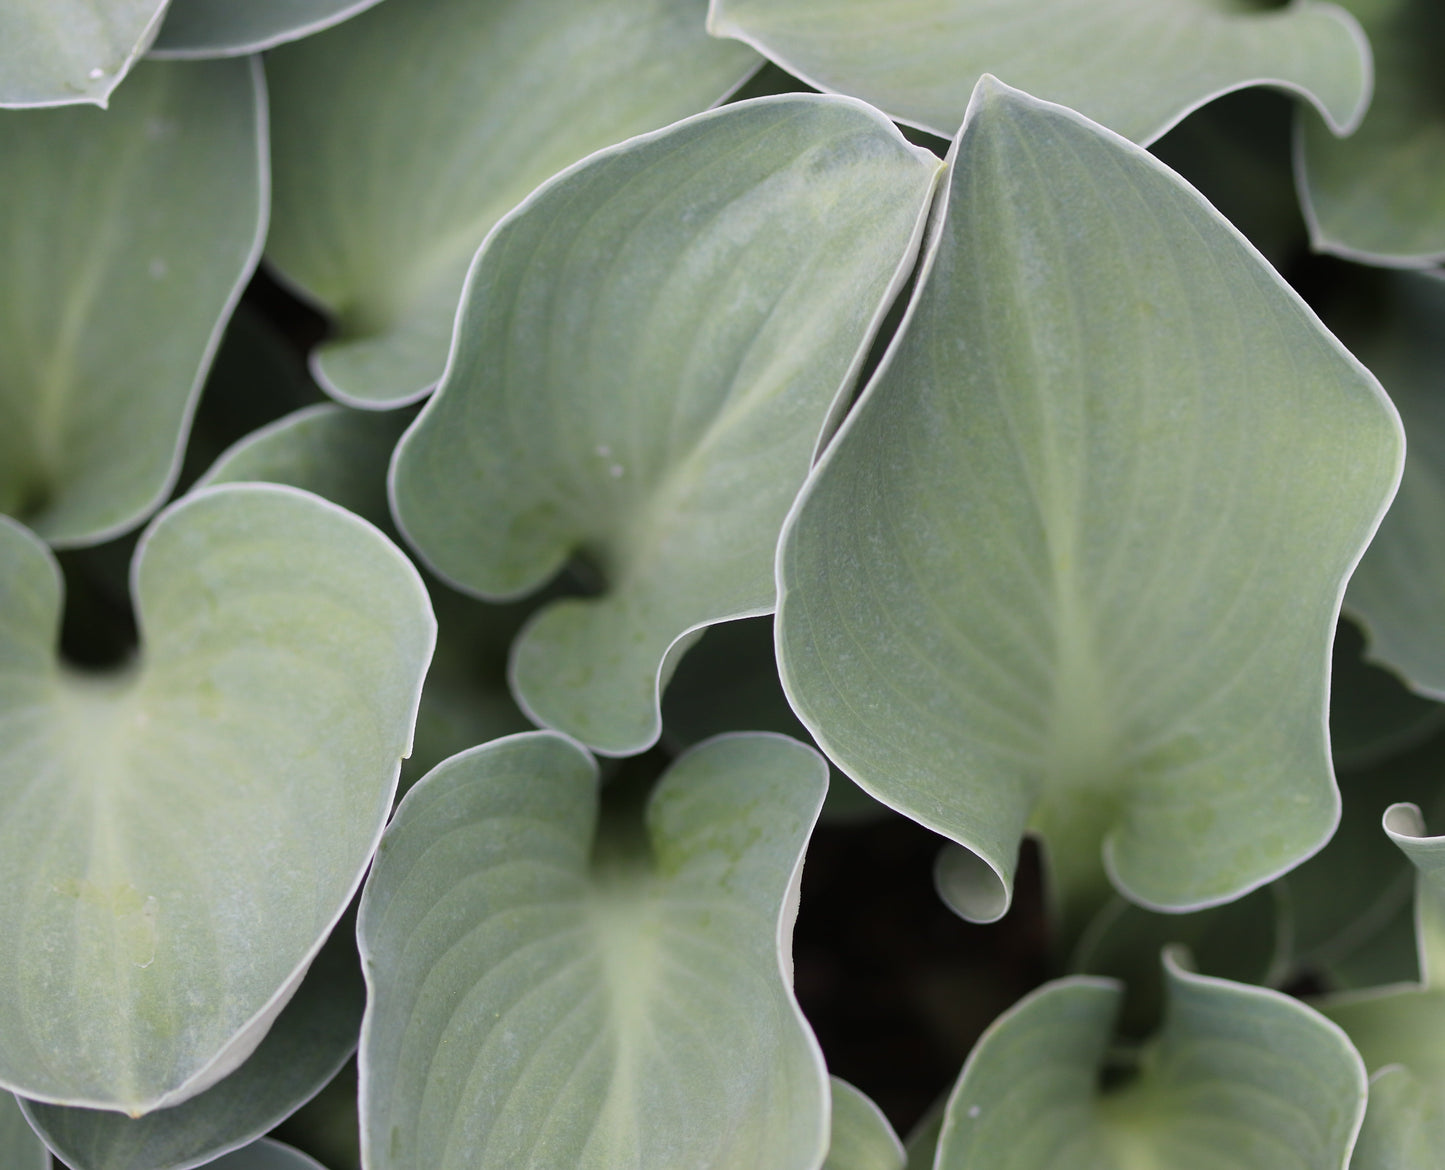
x=897 y=987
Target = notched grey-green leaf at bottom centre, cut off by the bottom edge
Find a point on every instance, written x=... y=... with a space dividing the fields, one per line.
x=550 y=990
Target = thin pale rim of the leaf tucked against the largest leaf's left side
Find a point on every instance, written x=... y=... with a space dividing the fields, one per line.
x=833 y=420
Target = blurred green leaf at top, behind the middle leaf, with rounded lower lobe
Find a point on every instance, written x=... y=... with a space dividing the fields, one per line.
x=405 y=134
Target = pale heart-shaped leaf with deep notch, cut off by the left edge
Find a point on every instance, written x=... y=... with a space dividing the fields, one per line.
x=181 y=834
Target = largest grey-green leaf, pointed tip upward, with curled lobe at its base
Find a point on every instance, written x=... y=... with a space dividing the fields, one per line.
x=1074 y=563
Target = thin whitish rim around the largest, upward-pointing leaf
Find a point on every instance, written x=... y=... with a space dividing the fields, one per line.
x=1002 y=877
